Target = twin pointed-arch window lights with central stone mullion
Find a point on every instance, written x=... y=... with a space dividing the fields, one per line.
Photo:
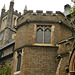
x=43 y=34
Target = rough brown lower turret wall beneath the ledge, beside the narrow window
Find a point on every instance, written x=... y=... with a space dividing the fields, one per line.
x=38 y=60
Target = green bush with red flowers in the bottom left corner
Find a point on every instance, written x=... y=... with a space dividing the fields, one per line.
x=5 y=69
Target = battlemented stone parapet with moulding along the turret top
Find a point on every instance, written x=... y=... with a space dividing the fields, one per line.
x=39 y=16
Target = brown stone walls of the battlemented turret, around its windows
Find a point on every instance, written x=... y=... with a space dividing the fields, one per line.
x=41 y=59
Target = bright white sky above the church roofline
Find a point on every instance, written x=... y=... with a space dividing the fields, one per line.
x=49 y=5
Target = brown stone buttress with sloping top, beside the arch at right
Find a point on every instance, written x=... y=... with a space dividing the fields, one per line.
x=65 y=50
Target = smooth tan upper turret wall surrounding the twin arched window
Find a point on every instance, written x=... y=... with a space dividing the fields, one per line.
x=26 y=34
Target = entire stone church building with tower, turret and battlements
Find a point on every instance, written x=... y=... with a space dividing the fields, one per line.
x=38 y=43
